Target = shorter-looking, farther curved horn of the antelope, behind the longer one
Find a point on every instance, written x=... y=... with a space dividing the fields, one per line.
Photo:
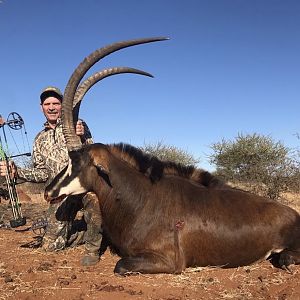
x=89 y=82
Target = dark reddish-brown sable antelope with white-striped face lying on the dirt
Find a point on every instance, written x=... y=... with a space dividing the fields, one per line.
x=164 y=217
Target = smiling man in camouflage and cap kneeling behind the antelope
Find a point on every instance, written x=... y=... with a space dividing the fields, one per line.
x=49 y=157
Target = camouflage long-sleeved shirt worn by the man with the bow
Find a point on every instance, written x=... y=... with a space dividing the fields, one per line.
x=49 y=154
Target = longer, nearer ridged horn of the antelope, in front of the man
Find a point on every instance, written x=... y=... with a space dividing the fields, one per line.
x=72 y=140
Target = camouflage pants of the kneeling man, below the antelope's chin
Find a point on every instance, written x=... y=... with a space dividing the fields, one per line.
x=65 y=229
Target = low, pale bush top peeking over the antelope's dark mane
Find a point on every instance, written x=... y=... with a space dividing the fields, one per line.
x=170 y=153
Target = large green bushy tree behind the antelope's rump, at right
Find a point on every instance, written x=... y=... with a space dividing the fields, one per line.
x=258 y=162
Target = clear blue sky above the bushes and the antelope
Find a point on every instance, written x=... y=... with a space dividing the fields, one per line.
x=229 y=67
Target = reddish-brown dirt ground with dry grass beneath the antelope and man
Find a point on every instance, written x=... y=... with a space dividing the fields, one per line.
x=28 y=273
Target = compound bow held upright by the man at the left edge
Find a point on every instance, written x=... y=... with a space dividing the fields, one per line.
x=14 y=121
